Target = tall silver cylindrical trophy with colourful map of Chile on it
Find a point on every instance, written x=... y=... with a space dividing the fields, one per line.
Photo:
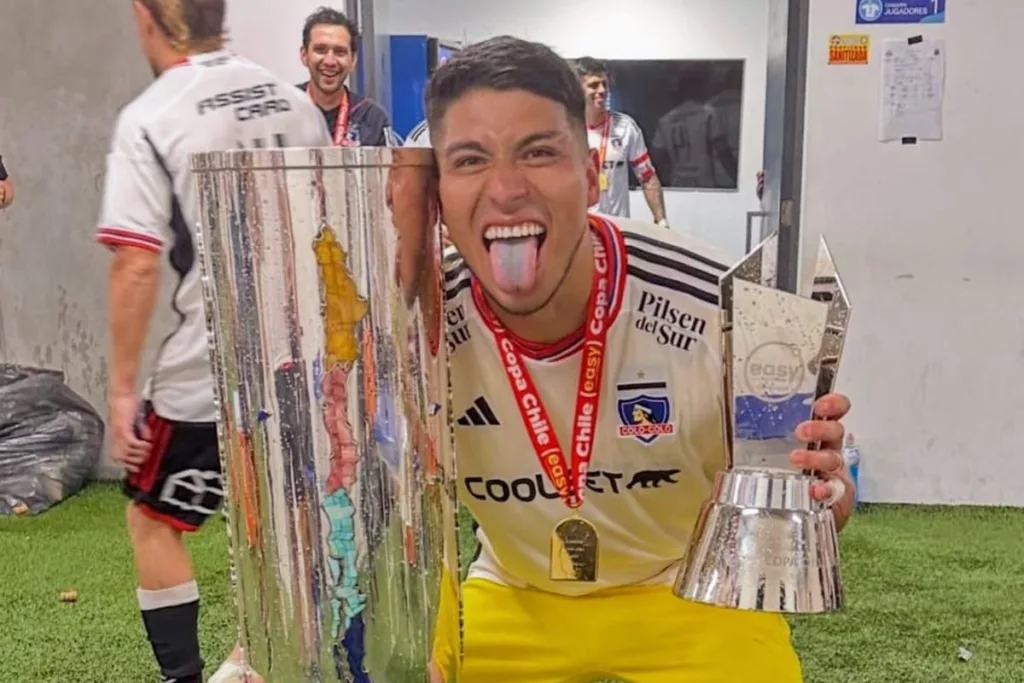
x=323 y=276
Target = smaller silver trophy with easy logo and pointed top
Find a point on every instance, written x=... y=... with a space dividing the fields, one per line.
x=760 y=542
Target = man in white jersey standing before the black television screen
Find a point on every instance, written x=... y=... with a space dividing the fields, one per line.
x=620 y=146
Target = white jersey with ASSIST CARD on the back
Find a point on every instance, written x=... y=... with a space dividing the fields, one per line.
x=207 y=103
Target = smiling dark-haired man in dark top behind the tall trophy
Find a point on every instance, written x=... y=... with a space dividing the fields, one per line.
x=330 y=50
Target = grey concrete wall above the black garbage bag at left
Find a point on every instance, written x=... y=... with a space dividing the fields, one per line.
x=68 y=67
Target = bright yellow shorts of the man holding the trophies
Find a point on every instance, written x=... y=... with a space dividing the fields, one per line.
x=642 y=634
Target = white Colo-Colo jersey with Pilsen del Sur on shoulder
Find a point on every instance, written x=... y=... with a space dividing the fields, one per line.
x=660 y=429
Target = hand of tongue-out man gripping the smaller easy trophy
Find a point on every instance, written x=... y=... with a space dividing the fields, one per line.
x=828 y=462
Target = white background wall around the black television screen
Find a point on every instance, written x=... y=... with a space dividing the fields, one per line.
x=621 y=30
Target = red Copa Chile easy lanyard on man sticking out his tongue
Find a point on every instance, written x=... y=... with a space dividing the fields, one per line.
x=569 y=483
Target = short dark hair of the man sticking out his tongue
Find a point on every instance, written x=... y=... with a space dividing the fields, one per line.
x=506 y=64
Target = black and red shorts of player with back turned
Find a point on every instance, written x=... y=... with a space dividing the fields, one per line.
x=182 y=484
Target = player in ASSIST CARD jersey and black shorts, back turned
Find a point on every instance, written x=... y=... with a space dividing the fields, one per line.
x=204 y=100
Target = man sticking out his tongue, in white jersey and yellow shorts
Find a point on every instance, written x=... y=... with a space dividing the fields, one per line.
x=587 y=389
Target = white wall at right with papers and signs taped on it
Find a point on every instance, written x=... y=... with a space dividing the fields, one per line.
x=929 y=240
